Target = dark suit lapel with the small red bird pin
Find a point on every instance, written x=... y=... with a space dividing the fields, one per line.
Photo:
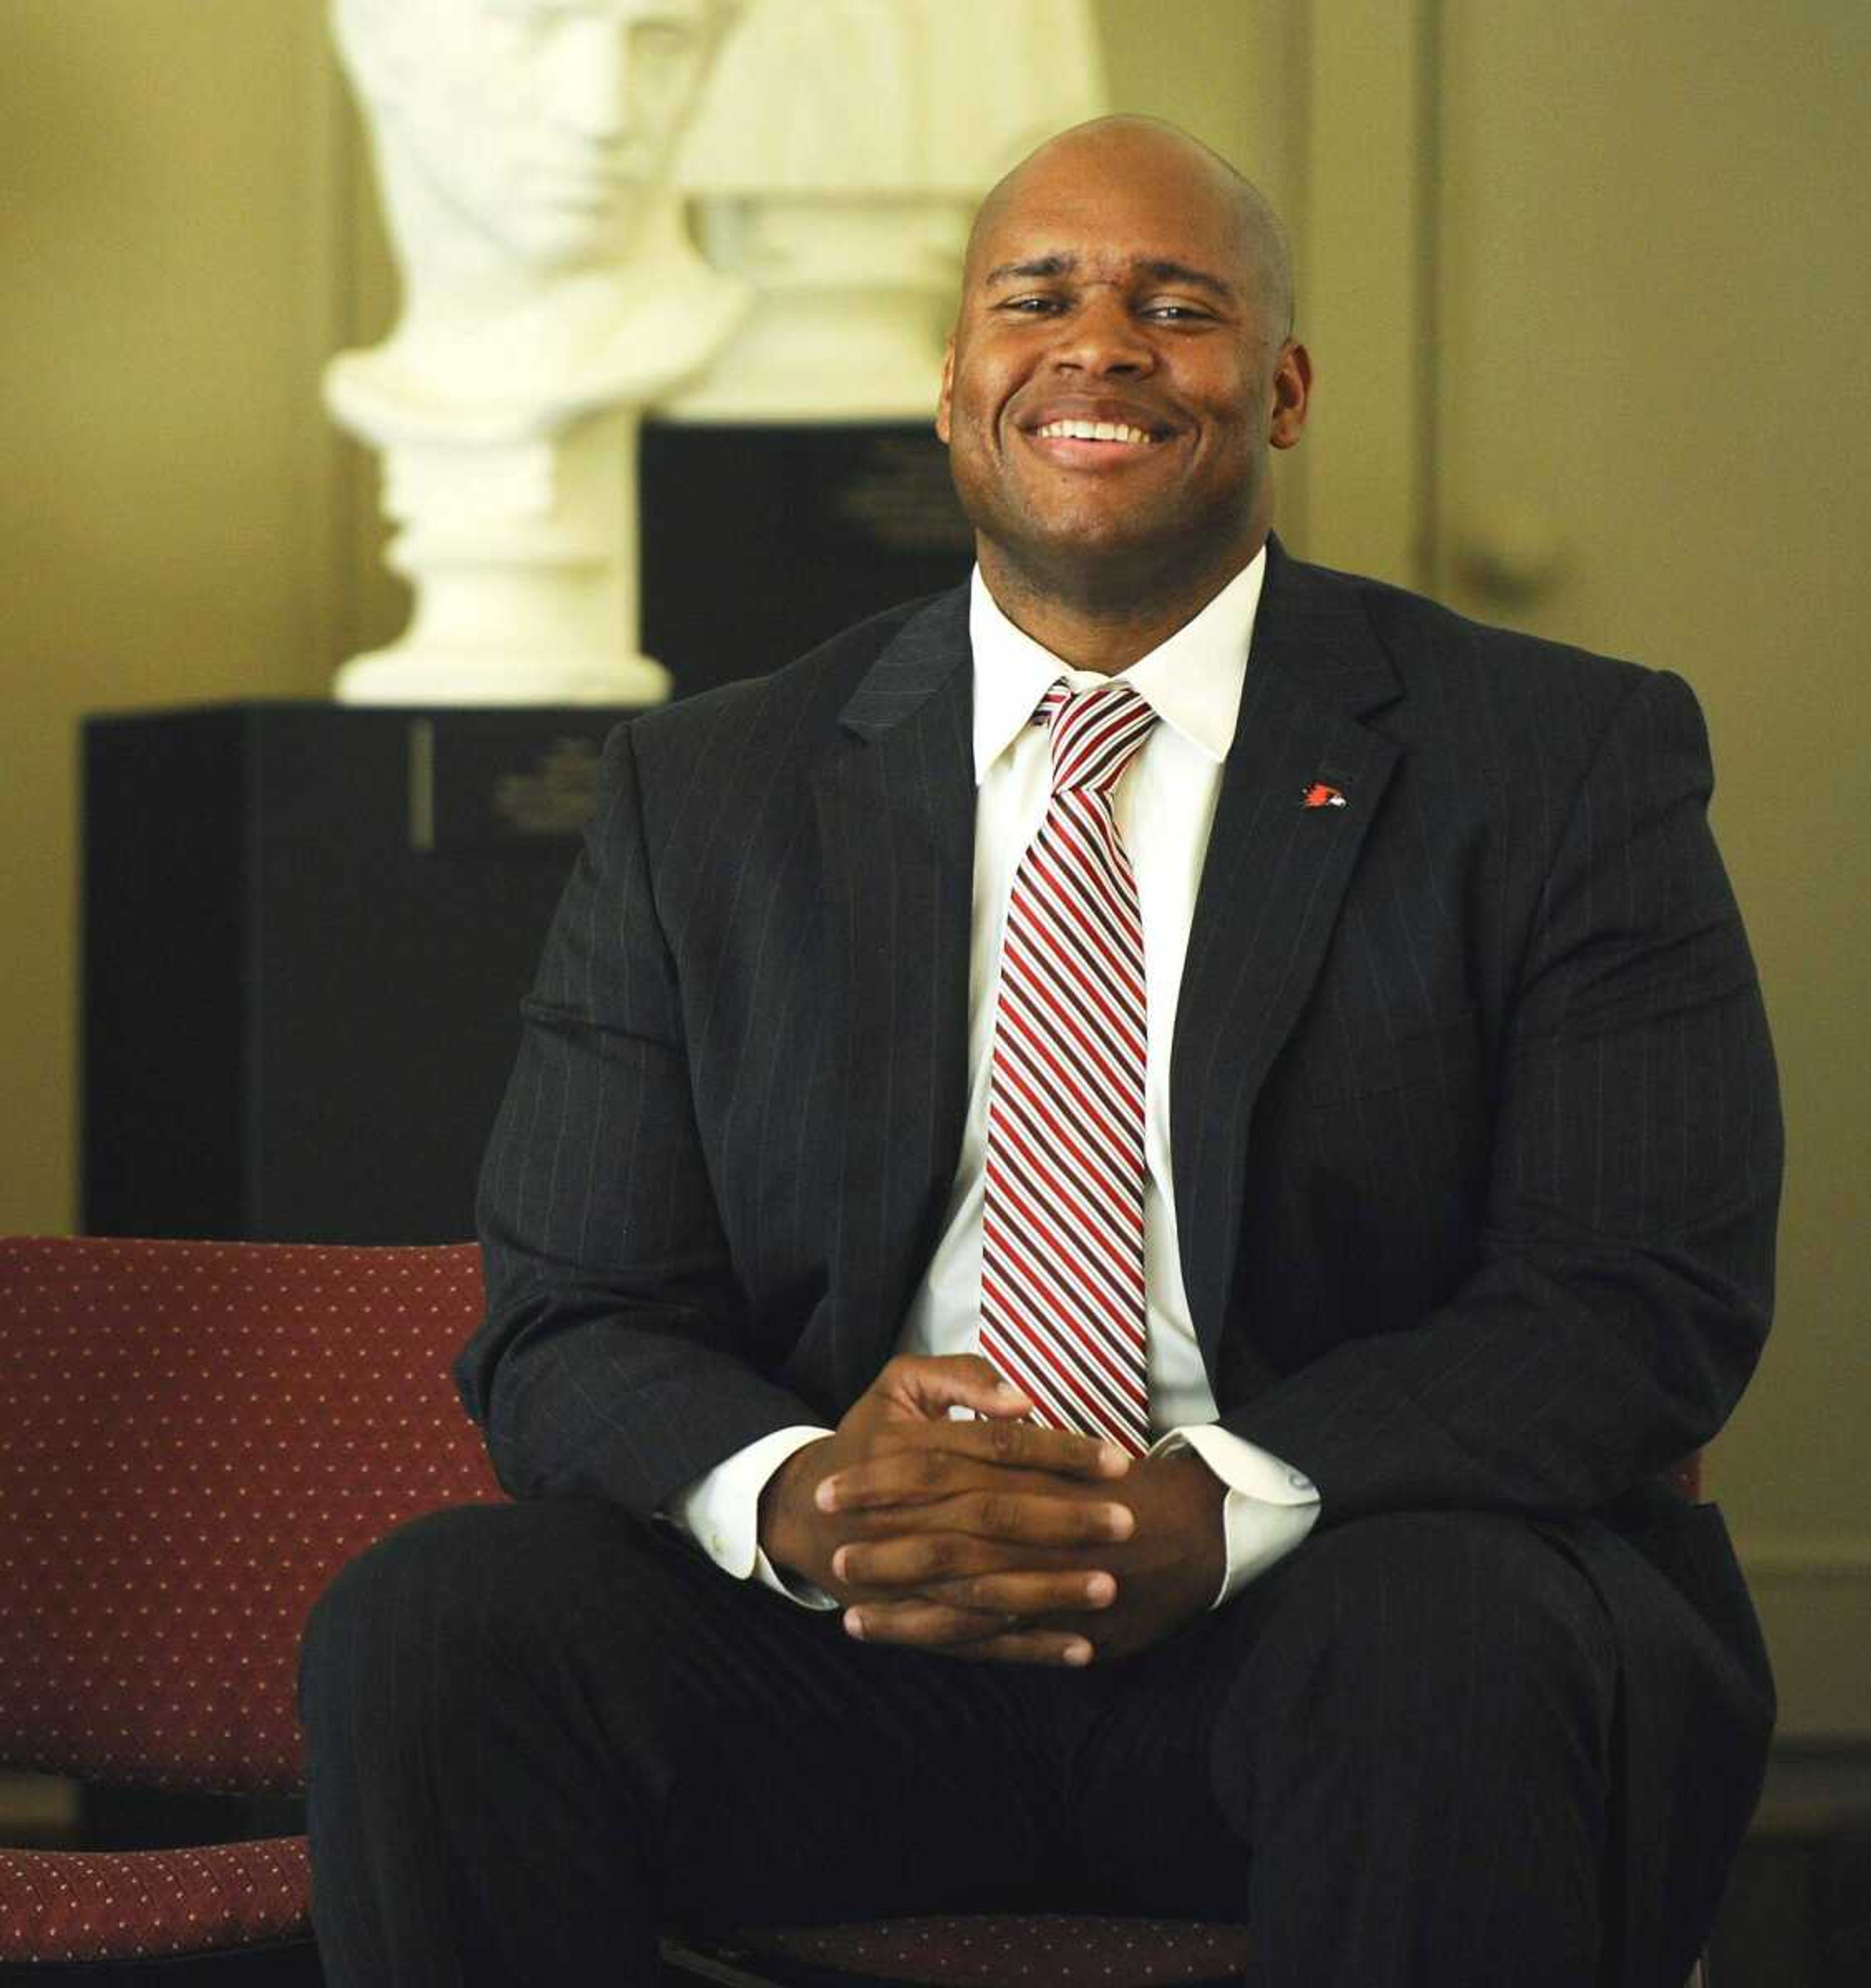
x=1270 y=898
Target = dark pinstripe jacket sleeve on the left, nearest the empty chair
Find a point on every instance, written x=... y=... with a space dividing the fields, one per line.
x=613 y=1355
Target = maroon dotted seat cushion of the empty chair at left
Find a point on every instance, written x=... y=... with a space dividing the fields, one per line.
x=124 y=1905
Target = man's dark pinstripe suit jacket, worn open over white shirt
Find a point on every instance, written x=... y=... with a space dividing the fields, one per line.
x=1472 y=1102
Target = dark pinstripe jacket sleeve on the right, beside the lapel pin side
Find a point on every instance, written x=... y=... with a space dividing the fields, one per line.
x=1623 y=1279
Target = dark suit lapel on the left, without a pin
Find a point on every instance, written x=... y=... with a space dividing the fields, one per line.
x=896 y=812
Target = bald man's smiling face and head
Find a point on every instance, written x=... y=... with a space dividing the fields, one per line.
x=1118 y=367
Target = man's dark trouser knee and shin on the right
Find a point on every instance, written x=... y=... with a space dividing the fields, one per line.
x=1419 y=1750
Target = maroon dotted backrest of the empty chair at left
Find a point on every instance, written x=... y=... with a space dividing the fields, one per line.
x=194 y=1438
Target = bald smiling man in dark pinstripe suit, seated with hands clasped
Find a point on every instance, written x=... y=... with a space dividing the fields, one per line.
x=1460 y=1152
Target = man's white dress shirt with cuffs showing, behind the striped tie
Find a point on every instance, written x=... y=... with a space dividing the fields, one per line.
x=1164 y=808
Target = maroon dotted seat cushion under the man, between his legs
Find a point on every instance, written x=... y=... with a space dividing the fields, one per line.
x=1001 y=1951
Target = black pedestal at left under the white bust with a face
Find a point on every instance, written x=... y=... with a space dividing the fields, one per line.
x=307 y=931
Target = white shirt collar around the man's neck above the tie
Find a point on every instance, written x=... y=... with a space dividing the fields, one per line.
x=1194 y=681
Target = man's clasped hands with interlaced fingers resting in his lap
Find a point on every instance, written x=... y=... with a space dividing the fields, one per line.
x=993 y=1540
